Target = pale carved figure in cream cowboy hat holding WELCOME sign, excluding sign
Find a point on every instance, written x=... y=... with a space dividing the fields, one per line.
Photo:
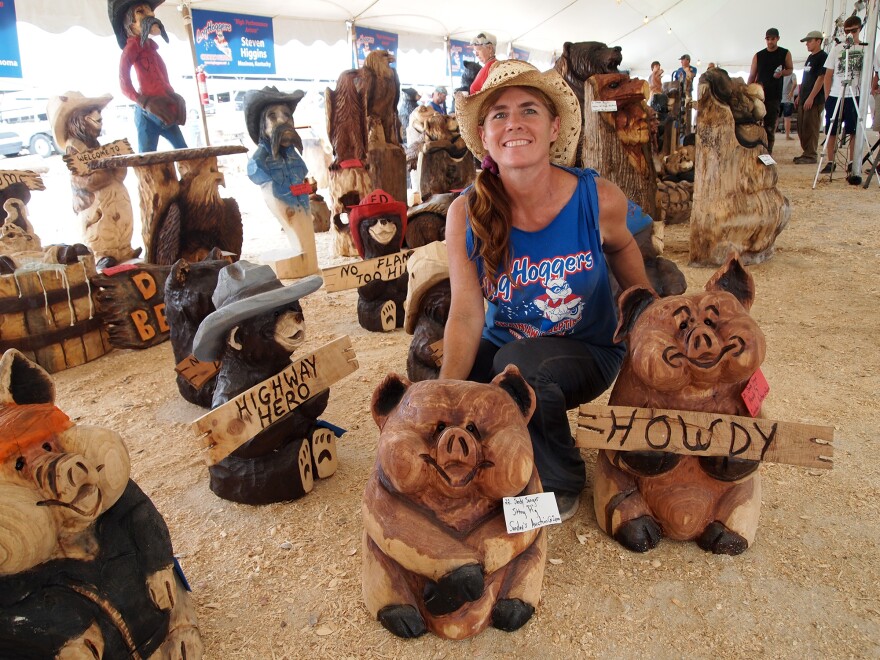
x=100 y=199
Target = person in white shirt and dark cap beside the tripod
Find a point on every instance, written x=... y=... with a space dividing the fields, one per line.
x=845 y=64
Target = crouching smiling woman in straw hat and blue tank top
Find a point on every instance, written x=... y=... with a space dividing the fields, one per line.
x=533 y=238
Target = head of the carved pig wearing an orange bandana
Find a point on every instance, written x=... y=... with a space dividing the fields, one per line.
x=56 y=478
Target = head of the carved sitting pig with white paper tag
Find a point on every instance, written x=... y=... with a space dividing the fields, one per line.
x=446 y=440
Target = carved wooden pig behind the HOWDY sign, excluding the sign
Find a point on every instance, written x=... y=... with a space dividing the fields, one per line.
x=695 y=353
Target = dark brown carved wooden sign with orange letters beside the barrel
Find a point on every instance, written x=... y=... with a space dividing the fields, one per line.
x=132 y=302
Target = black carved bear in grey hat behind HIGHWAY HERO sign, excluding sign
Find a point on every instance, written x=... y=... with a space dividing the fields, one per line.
x=257 y=325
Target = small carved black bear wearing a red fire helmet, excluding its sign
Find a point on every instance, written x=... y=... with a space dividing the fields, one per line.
x=378 y=225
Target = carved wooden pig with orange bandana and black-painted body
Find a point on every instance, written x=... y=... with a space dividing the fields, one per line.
x=86 y=564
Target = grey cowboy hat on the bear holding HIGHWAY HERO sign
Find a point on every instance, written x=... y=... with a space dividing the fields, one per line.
x=245 y=290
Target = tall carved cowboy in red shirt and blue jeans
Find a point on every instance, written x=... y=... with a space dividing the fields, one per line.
x=160 y=110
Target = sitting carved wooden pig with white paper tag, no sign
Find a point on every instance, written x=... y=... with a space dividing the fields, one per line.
x=437 y=555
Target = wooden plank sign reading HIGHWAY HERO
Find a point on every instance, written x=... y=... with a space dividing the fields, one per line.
x=227 y=427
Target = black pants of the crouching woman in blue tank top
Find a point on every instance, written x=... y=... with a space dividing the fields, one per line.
x=564 y=374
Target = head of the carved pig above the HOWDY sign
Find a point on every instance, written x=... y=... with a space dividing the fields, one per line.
x=704 y=340
